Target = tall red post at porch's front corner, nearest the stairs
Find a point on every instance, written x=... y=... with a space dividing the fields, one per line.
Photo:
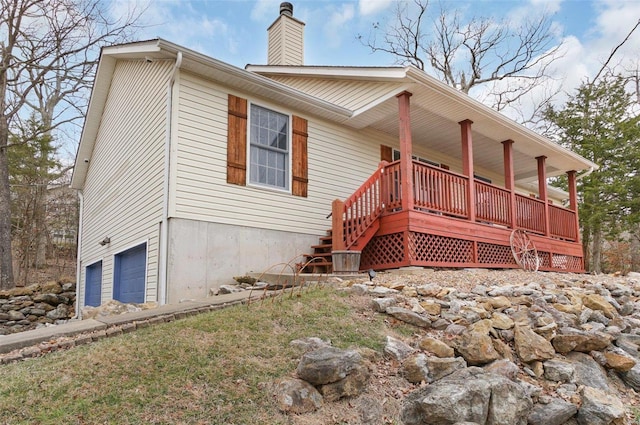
x=406 y=164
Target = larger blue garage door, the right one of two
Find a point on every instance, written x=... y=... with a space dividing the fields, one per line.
x=129 y=275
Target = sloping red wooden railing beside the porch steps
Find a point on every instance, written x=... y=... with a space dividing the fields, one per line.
x=352 y=217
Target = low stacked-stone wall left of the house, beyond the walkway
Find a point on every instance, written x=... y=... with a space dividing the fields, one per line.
x=26 y=308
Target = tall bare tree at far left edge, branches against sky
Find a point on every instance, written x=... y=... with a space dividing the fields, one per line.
x=48 y=51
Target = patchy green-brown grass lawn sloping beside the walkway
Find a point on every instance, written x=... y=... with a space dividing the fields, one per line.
x=215 y=368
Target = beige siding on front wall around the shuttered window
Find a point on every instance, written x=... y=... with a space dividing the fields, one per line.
x=339 y=161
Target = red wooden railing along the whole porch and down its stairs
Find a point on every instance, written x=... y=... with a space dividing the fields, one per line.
x=443 y=192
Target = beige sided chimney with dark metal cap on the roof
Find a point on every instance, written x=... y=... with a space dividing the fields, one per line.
x=286 y=38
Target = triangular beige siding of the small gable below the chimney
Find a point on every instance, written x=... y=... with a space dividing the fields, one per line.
x=350 y=94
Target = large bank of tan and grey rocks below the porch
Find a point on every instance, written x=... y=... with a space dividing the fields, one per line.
x=504 y=348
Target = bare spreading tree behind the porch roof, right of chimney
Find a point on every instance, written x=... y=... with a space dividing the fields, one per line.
x=468 y=54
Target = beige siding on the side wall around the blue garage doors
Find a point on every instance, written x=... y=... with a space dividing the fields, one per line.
x=123 y=188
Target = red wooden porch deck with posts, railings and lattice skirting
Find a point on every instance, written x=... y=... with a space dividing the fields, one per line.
x=412 y=213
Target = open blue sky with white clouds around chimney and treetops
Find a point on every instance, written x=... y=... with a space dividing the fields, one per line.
x=234 y=31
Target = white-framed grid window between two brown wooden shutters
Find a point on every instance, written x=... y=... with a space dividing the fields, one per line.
x=269 y=148
